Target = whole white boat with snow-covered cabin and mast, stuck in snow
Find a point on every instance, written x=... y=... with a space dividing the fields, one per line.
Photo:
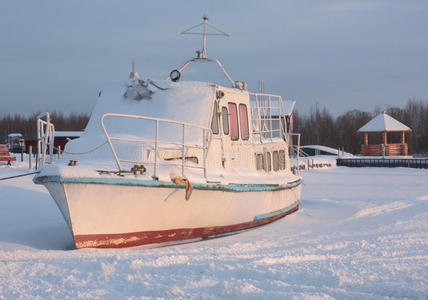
x=166 y=161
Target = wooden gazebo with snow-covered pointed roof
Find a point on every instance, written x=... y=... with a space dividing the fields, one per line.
x=384 y=123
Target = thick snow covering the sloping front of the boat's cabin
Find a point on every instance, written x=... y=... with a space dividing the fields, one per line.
x=189 y=102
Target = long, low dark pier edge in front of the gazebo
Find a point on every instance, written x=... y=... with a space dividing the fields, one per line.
x=419 y=163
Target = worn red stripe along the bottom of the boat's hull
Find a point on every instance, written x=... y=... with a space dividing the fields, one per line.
x=153 y=237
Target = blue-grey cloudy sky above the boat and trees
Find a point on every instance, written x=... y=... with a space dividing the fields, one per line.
x=342 y=55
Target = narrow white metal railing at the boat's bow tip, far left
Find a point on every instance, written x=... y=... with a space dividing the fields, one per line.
x=45 y=139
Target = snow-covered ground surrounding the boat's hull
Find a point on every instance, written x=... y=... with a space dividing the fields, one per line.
x=361 y=234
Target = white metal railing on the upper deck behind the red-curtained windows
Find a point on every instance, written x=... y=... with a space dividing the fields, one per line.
x=267 y=116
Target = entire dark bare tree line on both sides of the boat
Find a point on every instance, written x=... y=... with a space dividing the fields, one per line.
x=318 y=127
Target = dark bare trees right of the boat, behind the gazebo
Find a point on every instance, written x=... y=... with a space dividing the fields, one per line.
x=319 y=127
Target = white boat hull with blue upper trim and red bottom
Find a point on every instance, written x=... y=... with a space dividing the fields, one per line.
x=118 y=215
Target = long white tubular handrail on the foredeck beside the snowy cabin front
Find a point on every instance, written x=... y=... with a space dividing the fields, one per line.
x=207 y=136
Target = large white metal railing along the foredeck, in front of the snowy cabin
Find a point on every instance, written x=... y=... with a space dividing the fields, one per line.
x=156 y=145
